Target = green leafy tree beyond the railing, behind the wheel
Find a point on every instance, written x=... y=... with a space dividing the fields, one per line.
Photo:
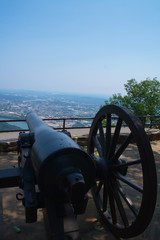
x=142 y=98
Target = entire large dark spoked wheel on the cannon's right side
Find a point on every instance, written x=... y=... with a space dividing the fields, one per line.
x=125 y=187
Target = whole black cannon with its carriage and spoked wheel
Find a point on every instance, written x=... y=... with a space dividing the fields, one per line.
x=56 y=175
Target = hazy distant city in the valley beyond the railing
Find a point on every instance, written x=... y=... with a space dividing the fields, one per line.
x=15 y=104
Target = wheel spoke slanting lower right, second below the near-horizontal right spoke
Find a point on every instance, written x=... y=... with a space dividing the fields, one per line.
x=126 y=199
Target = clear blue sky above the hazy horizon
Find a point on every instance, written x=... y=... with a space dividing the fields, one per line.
x=79 y=46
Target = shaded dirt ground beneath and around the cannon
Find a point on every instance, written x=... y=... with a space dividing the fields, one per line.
x=12 y=212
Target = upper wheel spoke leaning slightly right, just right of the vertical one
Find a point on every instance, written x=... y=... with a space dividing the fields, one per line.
x=115 y=138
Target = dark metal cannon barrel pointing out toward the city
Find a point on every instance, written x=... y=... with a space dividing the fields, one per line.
x=60 y=165
